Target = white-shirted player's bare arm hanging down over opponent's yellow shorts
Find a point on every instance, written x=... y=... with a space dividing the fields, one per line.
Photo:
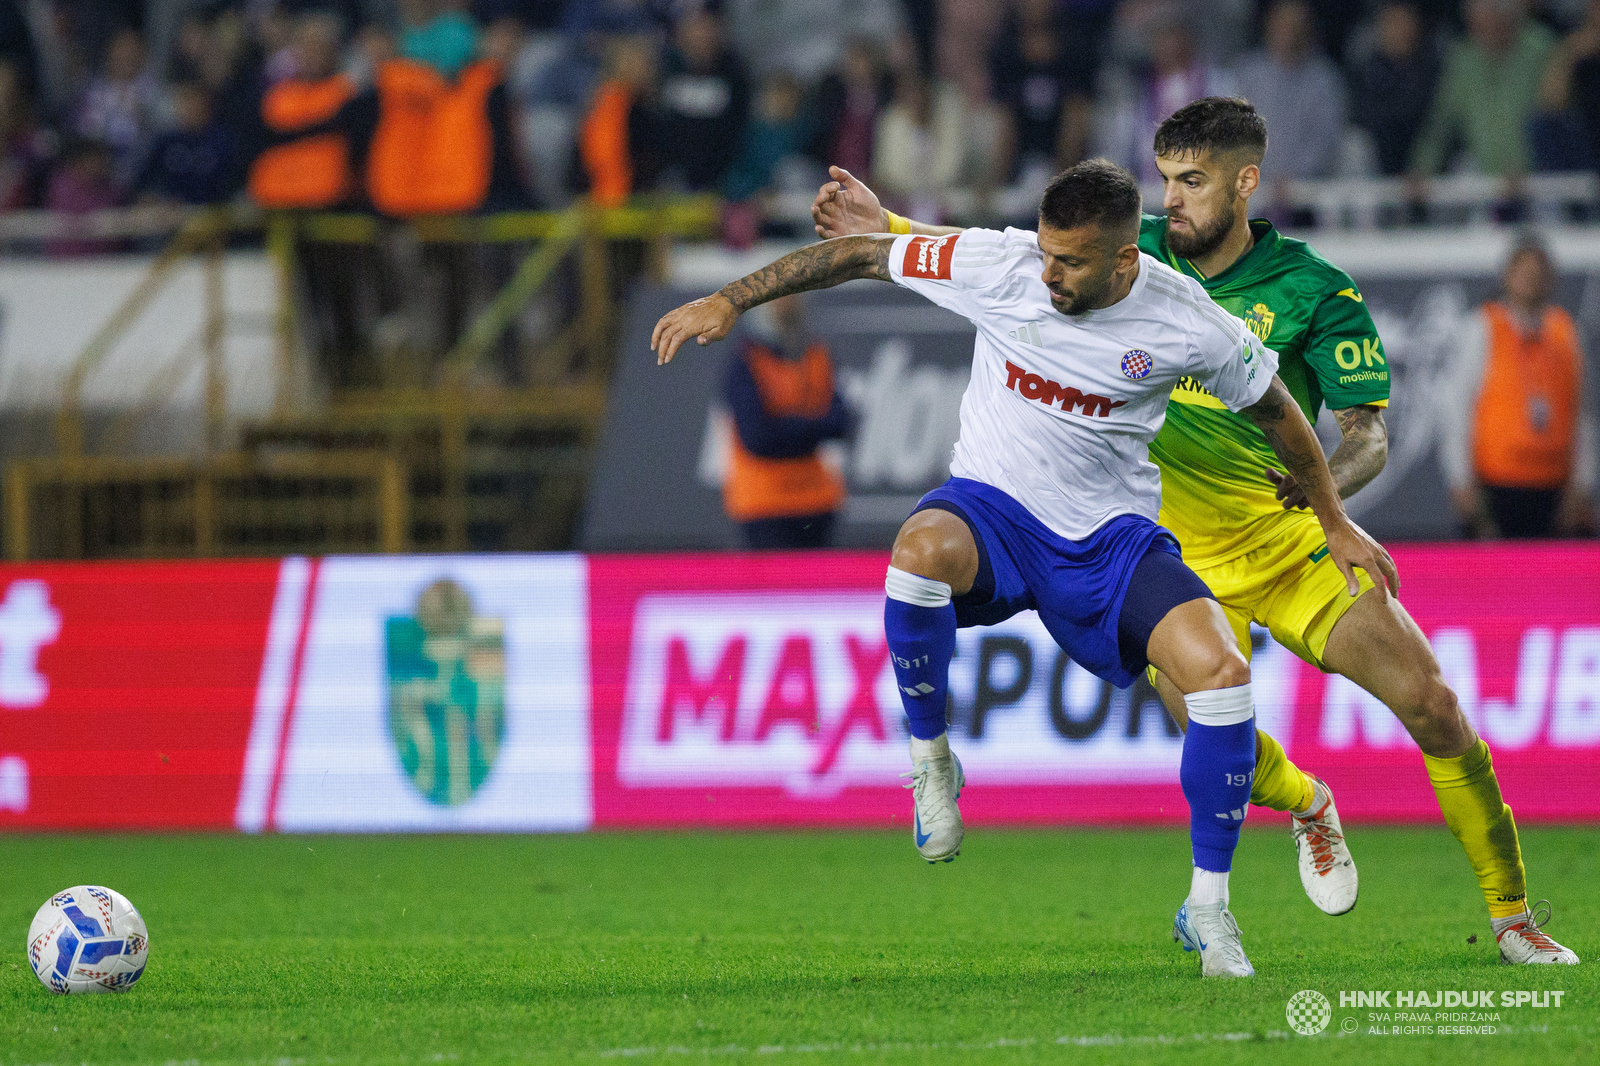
x=1295 y=444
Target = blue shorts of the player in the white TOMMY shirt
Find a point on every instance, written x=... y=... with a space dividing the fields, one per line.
x=1100 y=598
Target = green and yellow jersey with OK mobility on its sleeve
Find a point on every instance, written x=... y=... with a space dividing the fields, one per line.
x=1214 y=462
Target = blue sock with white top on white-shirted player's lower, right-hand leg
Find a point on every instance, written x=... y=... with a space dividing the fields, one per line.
x=1217 y=772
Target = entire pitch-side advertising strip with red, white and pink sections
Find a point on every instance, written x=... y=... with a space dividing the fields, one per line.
x=310 y=695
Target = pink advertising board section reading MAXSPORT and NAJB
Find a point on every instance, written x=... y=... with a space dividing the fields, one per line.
x=756 y=691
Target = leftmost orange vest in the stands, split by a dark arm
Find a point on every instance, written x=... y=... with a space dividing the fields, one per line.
x=311 y=172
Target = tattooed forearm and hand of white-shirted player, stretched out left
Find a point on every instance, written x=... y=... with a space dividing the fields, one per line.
x=815 y=266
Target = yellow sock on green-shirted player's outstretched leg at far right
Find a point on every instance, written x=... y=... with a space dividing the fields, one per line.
x=1481 y=820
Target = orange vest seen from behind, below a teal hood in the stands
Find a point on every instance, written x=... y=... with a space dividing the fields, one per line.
x=434 y=150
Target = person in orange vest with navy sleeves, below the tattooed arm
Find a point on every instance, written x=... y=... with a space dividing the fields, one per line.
x=785 y=404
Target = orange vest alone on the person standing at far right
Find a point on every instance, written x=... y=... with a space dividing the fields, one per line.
x=1526 y=427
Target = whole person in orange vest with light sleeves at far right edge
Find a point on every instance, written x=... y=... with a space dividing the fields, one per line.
x=1521 y=459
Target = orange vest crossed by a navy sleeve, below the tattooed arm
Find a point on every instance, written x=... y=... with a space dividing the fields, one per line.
x=774 y=489
